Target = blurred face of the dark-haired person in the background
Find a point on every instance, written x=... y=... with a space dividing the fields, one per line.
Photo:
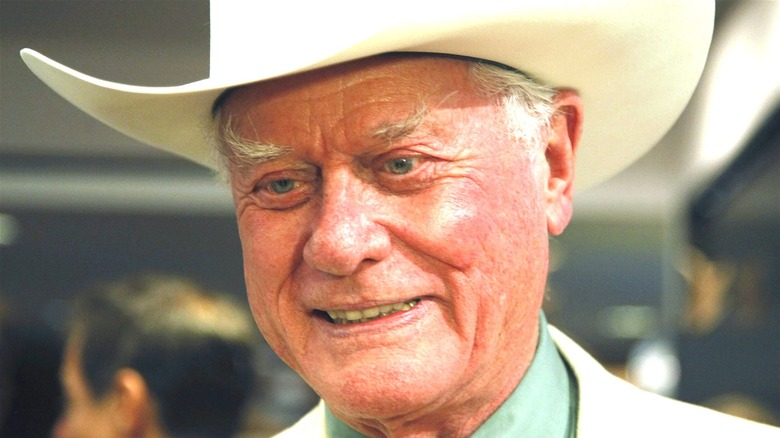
x=83 y=414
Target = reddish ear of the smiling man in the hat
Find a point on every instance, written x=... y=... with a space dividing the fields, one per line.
x=566 y=128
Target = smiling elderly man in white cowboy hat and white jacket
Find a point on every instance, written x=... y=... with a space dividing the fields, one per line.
x=396 y=177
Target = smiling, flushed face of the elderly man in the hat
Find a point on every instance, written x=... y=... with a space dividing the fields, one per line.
x=404 y=207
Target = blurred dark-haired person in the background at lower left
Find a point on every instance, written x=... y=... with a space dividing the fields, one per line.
x=156 y=356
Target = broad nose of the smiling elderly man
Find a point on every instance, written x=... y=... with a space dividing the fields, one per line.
x=345 y=233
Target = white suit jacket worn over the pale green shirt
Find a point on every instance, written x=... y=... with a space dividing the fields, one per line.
x=609 y=407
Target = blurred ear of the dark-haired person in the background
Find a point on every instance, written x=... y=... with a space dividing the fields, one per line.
x=132 y=407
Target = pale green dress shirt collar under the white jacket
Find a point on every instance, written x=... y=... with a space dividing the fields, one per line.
x=544 y=404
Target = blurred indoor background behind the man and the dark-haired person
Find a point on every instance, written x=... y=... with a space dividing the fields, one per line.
x=669 y=273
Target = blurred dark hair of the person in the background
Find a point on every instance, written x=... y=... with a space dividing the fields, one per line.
x=193 y=348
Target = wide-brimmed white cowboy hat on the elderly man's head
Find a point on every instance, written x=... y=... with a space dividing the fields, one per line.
x=635 y=63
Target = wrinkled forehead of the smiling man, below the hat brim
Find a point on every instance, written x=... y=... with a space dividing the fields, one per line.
x=379 y=84
